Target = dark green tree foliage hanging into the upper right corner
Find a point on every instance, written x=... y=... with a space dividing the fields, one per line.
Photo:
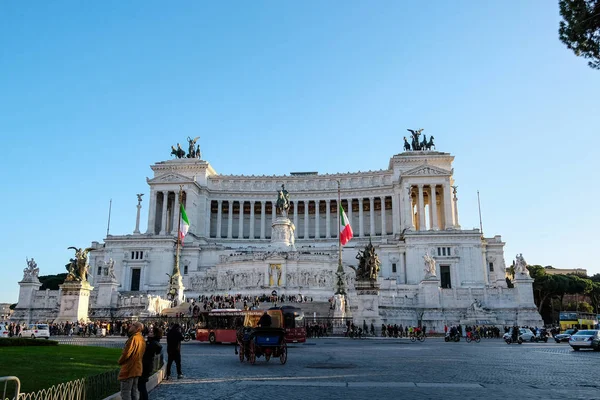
x=580 y=29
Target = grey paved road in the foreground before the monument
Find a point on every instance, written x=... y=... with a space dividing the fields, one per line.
x=347 y=369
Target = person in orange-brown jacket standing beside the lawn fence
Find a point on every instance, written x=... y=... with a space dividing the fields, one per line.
x=131 y=362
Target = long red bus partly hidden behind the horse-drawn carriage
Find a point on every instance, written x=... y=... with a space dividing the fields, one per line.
x=221 y=325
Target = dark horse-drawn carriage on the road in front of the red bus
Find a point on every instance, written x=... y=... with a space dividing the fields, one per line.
x=255 y=341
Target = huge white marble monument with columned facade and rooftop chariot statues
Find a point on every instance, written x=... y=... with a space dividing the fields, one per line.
x=256 y=234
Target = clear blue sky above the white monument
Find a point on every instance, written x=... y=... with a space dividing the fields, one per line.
x=93 y=93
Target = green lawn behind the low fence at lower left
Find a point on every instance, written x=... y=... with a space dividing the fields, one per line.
x=41 y=367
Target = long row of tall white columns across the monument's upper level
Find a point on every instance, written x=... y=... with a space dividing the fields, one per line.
x=420 y=206
